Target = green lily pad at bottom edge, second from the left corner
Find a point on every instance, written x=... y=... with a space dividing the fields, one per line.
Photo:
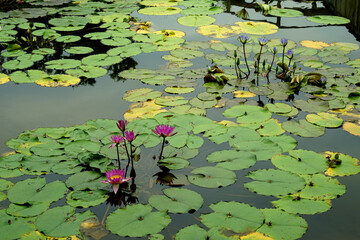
x=61 y=221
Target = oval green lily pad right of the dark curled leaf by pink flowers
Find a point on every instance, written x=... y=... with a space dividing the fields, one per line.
x=212 y=177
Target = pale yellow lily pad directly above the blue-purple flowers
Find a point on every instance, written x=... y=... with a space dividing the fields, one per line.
x=257 y=28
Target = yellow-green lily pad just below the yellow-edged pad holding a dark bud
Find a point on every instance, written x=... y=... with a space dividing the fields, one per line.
x=320 y=187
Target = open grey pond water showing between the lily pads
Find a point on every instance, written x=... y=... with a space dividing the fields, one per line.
x=27 y=106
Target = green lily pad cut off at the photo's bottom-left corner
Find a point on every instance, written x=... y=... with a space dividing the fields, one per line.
x=13 y=227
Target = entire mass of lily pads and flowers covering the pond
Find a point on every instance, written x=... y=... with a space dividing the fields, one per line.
x=254 y=70
